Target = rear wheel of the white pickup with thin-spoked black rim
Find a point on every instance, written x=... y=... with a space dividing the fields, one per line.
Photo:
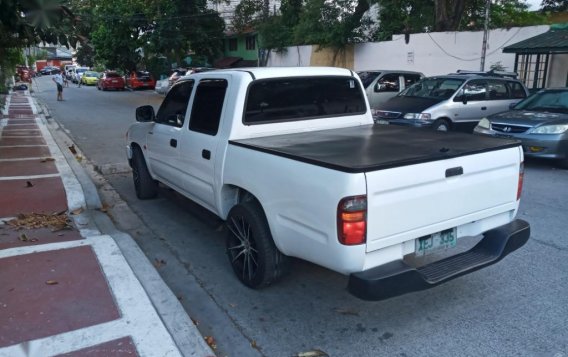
x=251 y=250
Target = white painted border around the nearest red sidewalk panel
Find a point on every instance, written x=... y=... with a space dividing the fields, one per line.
x=138 y=317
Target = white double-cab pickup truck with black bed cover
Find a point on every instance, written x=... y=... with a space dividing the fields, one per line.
x=291 y=160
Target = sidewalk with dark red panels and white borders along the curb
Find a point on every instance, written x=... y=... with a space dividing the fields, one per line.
x=66 y=288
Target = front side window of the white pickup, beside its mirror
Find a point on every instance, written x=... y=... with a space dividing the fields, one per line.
x=173 y=108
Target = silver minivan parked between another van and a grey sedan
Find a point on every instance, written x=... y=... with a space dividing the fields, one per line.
x=450 y=101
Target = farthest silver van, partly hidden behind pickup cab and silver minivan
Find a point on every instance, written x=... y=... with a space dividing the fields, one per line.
x=381 y=85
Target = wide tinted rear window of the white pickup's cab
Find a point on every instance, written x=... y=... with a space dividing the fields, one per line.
x=302 y=98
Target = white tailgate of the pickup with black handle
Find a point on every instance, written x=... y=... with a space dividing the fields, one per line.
x=408 y=202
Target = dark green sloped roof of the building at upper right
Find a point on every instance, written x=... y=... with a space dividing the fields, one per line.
x=553 y=41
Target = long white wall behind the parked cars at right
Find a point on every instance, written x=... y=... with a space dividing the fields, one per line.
x=442 y=52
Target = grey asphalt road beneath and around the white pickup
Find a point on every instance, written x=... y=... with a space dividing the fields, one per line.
x=518 y=307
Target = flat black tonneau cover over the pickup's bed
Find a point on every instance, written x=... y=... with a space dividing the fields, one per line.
x=374 y=147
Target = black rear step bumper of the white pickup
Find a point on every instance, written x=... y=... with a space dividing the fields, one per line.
x=397 y=278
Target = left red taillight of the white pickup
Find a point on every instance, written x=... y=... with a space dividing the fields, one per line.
x=352 y=220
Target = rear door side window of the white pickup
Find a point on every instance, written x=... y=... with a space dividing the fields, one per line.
x=208 y=106
